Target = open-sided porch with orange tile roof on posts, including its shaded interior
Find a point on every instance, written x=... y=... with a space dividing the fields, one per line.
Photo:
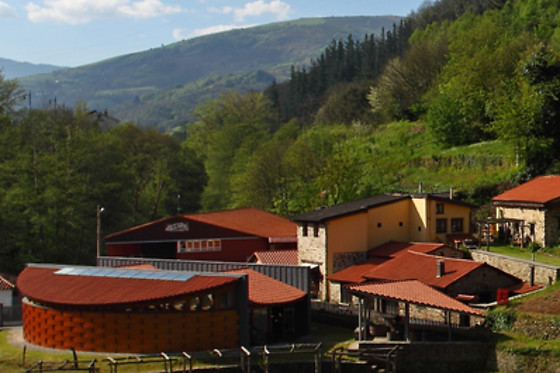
x=410 y=311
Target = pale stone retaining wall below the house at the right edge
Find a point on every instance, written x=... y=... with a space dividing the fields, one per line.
x=542 y=274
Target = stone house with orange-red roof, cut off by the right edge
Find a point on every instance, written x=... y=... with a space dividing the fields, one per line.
x=531 y=211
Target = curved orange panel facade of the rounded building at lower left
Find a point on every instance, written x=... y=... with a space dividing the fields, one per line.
x=130 y=332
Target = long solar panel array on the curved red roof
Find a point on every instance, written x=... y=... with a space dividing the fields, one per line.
x=125 y=273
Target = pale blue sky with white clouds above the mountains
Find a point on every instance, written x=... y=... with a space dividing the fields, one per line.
x=78 y=32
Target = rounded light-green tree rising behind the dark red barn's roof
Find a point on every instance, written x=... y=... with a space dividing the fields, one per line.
x=227 y=132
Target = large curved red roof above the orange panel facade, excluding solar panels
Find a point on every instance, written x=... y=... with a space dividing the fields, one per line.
x=43 y=285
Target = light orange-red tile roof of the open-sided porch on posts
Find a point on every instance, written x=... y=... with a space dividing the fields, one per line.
x=413 y=291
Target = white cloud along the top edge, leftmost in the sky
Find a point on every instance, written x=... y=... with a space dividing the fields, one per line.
x=83 y=11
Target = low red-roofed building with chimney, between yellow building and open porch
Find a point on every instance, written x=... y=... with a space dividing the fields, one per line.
x=459 y=278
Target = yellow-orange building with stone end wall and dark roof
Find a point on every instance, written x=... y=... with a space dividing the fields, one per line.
x=337 y=237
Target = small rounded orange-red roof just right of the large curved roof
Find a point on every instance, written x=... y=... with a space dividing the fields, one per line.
x=264 y=290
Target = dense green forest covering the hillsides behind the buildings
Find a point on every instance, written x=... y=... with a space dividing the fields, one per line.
x=461 y=94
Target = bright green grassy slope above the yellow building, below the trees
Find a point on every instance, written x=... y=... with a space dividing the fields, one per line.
x=406 y=151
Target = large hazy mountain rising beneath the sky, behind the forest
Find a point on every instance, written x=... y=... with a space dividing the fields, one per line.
x=116 y=84
